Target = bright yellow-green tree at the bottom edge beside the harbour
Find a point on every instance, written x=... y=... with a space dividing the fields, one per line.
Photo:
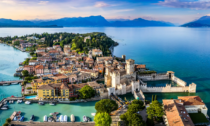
x=102 y=119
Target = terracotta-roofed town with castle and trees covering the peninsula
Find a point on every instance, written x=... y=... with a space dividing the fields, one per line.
x=65 y=68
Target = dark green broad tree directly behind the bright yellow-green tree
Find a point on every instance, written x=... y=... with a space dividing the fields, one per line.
x=106 y=105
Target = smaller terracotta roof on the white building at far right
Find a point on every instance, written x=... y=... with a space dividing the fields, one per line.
x=191 y=100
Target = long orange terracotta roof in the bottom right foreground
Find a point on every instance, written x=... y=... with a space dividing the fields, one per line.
x=176 y=113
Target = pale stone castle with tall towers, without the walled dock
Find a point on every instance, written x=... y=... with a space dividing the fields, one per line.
x=121 y=79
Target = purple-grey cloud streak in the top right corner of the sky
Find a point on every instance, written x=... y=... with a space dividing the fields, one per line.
x=198 y=5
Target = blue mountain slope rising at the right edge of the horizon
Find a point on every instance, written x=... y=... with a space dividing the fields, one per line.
x=201 y=22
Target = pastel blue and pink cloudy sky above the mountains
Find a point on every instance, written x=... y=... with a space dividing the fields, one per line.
x=174 y=11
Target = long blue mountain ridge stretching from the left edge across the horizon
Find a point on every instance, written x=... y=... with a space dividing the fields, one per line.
x=91 y=21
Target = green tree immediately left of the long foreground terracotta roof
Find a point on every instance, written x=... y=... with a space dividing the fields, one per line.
x=155 y=110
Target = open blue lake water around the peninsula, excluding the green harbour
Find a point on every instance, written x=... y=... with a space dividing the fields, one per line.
x=182 y=50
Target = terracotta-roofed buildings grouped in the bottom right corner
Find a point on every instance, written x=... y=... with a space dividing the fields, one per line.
x=177 y=111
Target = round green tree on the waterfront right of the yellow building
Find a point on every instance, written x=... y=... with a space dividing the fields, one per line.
x=87 y=92
